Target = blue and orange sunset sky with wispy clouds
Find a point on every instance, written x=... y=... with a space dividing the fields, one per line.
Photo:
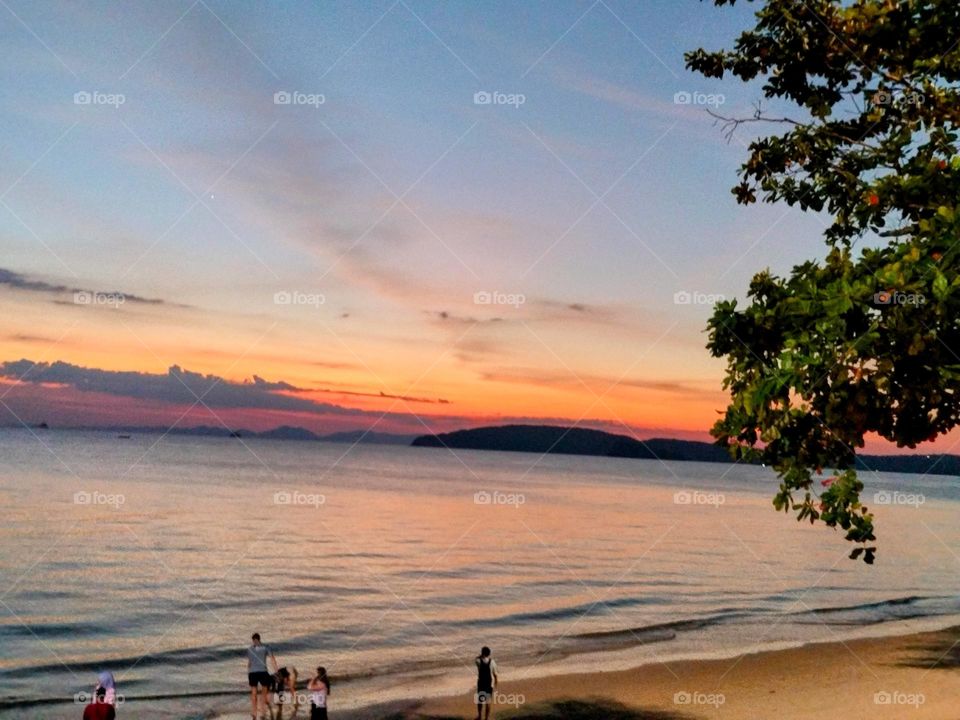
x=403 y=216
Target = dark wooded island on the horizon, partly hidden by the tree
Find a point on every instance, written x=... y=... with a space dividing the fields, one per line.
x=581 y=441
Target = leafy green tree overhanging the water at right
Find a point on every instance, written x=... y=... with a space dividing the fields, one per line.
x=866 y=340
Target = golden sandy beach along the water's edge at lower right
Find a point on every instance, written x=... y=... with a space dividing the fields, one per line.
x=913 y=676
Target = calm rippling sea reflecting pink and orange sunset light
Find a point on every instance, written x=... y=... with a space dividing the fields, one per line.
x=157 y=558
